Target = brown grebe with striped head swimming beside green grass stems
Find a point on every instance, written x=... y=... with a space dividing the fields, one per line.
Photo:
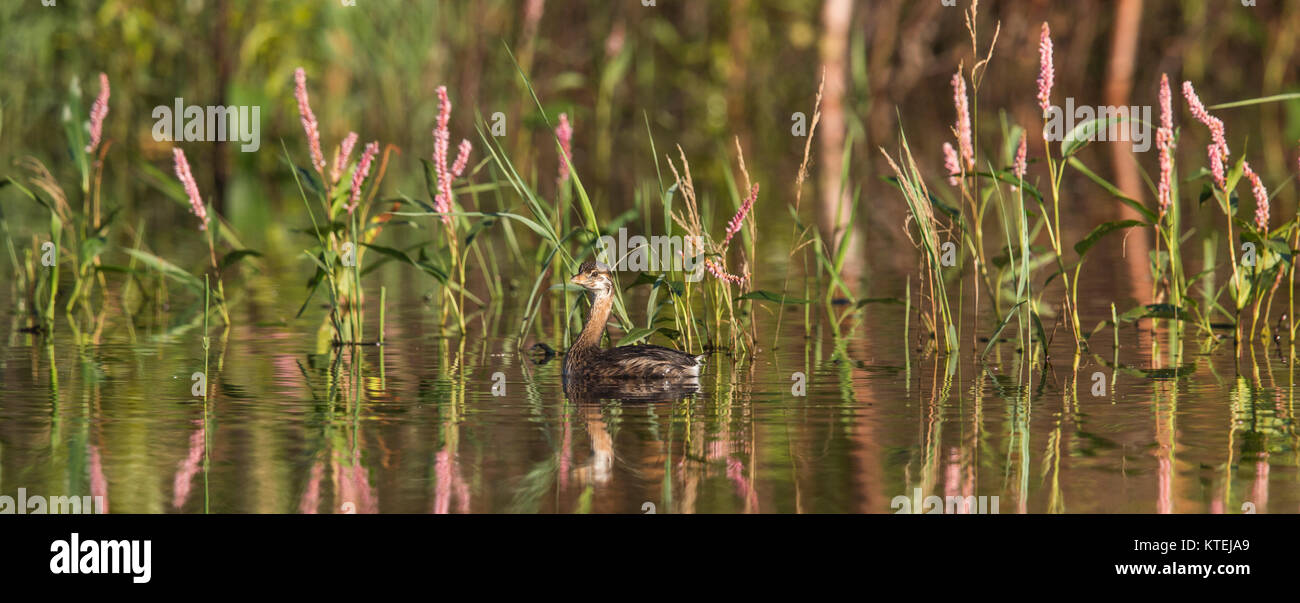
x=587 y=361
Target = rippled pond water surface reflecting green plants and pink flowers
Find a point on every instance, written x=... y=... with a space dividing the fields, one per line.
x=415 y=426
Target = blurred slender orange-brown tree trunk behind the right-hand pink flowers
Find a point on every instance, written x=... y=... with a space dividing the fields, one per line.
x=1120 y=81
